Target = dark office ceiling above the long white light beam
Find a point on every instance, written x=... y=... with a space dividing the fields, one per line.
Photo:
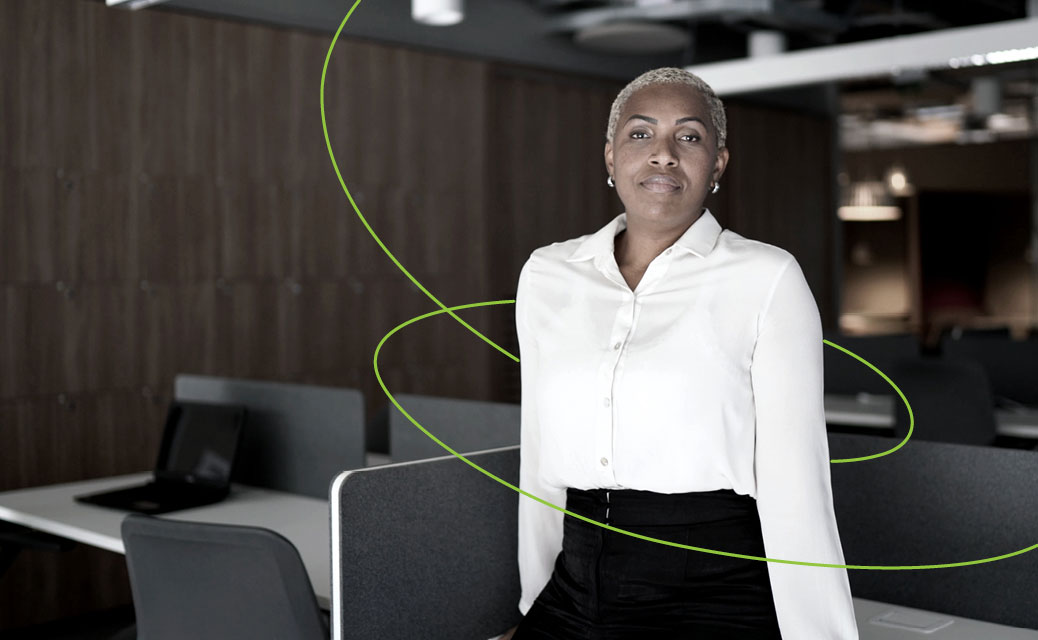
x=578 y=36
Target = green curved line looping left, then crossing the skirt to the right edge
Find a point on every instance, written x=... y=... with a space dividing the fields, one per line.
x=616 y=530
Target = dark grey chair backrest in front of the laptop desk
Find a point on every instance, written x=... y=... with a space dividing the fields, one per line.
x=196 y=580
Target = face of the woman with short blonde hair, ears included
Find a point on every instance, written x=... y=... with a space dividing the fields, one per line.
x=664 y=156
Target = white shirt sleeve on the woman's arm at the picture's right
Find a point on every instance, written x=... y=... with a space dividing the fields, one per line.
x=795 y=494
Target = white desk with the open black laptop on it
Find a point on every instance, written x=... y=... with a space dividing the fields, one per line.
x=303 y=520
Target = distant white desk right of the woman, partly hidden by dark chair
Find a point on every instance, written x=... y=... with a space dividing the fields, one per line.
x=878 y=411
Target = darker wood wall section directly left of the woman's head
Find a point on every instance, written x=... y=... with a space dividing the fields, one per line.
x=548 y=134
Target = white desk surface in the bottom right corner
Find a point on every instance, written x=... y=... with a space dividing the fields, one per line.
x=908 y=624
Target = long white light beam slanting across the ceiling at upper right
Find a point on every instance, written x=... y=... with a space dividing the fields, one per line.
x=992 y=44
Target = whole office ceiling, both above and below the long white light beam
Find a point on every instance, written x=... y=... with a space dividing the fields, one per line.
x=616 y=39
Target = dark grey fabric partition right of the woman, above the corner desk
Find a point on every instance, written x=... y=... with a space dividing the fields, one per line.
x=938 y=504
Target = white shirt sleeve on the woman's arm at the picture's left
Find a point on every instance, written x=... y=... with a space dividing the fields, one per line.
x=540 y=526
